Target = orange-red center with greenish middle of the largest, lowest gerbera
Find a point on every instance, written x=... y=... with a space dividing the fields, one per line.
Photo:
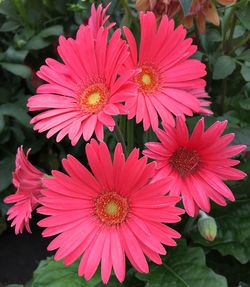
x=111 y=208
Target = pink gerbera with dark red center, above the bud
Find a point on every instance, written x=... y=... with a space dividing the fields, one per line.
x=199 y=163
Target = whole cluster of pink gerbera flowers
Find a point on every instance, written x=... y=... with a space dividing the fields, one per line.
x=121 y=207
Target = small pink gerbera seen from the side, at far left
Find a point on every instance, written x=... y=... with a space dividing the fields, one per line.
x=28 y=182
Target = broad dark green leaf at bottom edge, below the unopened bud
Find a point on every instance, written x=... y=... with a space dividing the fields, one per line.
x=184 y=267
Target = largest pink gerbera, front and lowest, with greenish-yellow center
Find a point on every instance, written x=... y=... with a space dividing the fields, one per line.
x=111 y=213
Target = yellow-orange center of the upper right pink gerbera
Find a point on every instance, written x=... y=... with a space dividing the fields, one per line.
x=147 y=79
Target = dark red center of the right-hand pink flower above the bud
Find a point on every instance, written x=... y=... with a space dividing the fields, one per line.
x=184 y=161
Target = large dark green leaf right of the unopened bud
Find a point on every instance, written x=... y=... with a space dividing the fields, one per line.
x=233 y=237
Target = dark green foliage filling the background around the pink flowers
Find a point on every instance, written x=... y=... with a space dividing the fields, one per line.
x=29 y=33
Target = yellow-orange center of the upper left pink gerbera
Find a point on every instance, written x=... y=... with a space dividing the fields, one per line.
x=93 y=98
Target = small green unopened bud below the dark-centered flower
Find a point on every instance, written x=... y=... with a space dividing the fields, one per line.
x=207 y=226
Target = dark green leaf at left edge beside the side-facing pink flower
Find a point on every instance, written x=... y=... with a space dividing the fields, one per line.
x=7 y=166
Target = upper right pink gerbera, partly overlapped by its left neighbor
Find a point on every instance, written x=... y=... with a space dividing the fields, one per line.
x=167 y=76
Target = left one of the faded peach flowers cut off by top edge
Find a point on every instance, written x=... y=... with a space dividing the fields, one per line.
x=159 y=7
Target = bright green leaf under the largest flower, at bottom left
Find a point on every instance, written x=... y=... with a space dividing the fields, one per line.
x=52 y=273
